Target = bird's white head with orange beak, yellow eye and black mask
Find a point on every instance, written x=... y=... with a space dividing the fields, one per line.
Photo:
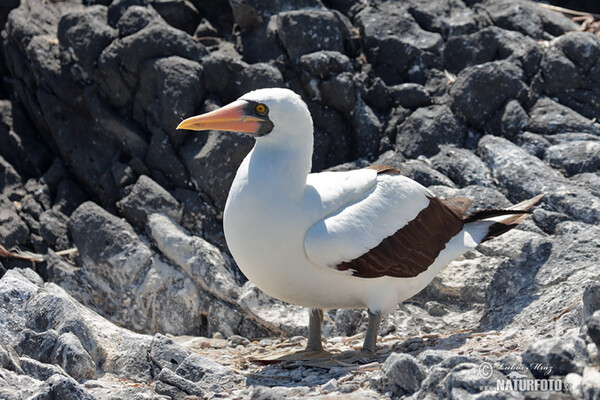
x=274 y=116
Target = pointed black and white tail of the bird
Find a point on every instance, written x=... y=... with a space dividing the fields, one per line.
x=487 y=224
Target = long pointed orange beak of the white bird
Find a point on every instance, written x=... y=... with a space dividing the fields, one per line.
x=231 y=117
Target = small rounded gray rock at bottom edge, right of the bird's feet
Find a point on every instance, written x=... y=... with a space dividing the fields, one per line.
x=404 y=373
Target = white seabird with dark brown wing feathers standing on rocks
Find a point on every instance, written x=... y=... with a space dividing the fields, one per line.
x=369 y=238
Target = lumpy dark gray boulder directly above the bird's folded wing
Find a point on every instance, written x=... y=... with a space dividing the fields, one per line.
x=426 y=129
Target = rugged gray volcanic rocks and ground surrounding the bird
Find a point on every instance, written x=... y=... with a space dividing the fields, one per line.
x=116 y=282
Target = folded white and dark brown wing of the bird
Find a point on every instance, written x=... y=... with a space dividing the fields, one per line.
x=397 y=228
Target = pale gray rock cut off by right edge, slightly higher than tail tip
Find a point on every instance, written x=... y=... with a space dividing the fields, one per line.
x=574 y=157
